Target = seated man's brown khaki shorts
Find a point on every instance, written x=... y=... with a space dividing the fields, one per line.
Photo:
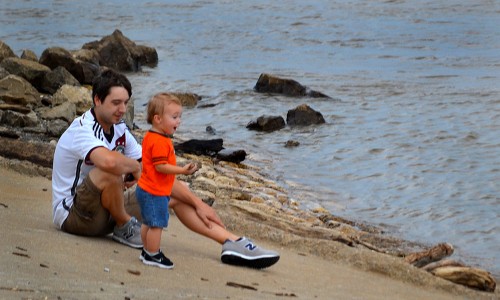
x=88 y=217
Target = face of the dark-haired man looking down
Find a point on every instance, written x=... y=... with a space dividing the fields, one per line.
x=113 y=108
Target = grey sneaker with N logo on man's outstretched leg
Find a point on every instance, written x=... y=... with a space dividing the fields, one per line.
x=244 y=252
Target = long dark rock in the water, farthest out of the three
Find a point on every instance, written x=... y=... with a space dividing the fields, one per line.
x=271 y=84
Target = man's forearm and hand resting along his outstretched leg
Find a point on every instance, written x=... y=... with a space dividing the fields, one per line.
x=181 y=192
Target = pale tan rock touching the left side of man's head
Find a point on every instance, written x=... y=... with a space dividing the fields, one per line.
x=80 y=96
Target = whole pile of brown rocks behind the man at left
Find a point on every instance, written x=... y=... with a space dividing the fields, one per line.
x=43 y=95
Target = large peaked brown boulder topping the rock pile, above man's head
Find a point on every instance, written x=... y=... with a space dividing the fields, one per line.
x=120 y=53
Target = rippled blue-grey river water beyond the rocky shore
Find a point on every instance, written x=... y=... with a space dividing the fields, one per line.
x=412 y=137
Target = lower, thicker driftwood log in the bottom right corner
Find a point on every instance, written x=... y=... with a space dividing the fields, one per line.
x=470 y=277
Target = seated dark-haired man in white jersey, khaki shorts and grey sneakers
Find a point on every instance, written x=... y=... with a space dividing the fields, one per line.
x=97 y=158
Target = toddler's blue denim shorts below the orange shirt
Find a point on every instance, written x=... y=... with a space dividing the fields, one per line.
x=154 y=209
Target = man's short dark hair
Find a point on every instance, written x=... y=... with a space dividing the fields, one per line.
x=106 y=80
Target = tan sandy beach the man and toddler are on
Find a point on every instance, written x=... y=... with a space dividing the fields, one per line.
x=40 y=262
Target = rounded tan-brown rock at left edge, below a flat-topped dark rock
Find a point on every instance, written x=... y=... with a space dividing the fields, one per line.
x=16 y=90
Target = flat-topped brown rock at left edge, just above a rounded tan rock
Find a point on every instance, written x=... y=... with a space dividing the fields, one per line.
x=32 y=71
